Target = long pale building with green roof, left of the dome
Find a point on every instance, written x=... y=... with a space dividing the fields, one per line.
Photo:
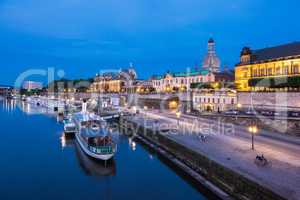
x=181 y=82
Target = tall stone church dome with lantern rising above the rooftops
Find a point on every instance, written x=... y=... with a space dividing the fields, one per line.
x=211 y=61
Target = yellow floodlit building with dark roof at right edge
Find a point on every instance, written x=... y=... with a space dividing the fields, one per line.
x=270 y=69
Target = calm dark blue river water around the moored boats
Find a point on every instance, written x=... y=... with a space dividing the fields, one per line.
x=38 y=163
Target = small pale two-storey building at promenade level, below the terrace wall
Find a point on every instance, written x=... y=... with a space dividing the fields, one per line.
x=214 y=100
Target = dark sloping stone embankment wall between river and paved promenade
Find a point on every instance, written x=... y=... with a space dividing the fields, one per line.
x=230 y=181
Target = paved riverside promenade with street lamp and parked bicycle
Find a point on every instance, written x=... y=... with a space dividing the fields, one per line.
x=234 y=151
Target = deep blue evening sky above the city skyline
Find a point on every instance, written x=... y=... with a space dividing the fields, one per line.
x=83 y=37
